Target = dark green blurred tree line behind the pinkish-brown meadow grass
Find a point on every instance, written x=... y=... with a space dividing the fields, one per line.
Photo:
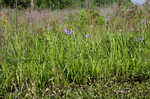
x=54 y=4
